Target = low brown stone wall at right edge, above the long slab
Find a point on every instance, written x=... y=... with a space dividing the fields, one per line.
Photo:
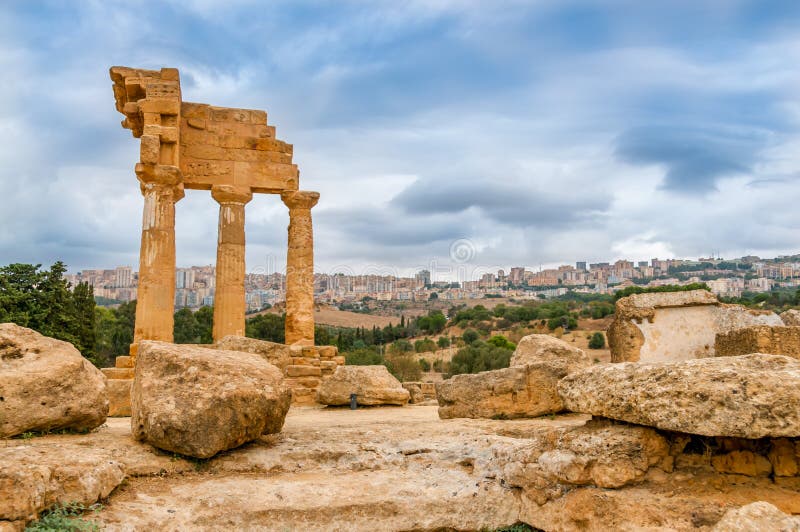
x=775 y=340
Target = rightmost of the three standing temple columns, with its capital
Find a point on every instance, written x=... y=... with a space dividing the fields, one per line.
x=300 y=268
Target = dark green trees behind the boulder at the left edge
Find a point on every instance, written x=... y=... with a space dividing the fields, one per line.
x=42 y=300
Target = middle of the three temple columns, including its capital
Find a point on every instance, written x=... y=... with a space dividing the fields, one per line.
x=229 y=298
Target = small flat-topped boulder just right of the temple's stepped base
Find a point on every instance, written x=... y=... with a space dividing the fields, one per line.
x=373 y=385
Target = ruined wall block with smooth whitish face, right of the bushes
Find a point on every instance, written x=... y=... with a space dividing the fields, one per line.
x=671 y=326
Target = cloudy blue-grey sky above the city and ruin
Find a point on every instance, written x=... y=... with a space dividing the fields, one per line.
x=453 y=135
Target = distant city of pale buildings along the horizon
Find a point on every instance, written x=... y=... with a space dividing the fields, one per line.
x=726 y=278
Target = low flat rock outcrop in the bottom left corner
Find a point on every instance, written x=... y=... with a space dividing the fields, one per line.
x=33 y=479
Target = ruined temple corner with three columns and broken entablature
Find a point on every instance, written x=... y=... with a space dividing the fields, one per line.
x=233 y=153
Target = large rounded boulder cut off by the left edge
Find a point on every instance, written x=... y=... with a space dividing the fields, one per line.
x=45 y=384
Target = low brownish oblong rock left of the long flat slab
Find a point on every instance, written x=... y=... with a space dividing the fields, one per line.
x=509 y=393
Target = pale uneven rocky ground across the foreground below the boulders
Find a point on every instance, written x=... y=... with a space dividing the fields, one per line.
x=390 y=468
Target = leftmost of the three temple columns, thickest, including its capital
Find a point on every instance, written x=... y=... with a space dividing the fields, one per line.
x=155 y=306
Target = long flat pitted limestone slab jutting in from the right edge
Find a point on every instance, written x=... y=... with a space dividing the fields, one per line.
x=750 y=396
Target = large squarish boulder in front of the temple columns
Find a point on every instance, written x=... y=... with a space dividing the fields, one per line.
x=198 y=402
